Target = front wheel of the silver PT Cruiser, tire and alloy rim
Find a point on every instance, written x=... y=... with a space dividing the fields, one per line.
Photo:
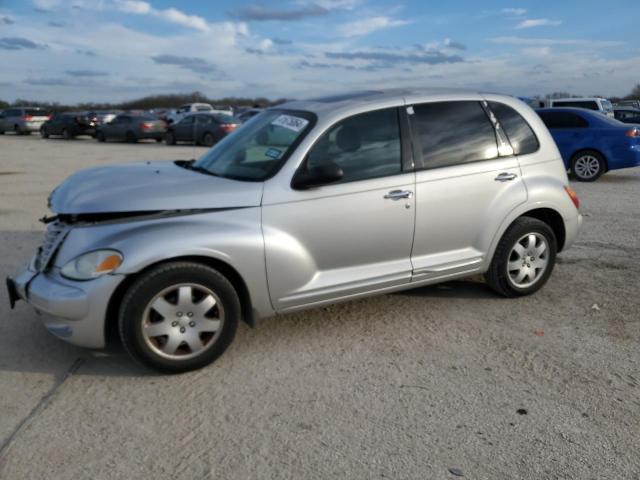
x=179 y=317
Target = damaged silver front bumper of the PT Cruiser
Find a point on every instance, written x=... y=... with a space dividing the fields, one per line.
x=72 y=310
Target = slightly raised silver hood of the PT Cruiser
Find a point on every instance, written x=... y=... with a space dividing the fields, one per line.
x=149 y=186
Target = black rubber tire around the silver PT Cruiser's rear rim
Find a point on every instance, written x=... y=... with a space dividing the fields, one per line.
x=500 y=278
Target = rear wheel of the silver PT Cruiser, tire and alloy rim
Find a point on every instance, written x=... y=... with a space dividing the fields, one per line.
x=524 y=258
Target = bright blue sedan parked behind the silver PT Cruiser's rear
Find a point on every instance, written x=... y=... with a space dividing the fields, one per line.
x=590 y=143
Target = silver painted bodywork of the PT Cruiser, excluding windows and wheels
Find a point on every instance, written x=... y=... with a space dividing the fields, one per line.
x=296 y=249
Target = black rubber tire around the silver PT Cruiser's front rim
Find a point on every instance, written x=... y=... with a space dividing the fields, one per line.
x=167 y=276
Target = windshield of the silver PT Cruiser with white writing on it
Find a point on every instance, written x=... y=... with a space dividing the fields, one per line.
x=256 y=151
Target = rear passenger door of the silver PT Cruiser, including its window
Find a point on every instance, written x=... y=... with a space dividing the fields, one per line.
x=467 y=182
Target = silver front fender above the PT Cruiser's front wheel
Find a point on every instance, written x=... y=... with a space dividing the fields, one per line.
x=232 y=236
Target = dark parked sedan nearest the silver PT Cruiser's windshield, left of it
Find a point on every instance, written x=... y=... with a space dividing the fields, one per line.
x=201 y=129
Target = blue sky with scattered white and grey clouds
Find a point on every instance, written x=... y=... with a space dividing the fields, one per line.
x=113 y=50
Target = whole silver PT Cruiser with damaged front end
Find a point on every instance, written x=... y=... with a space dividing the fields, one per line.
x=309 y=203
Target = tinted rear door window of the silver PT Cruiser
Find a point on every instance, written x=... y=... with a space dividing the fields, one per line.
x=453 y=133
